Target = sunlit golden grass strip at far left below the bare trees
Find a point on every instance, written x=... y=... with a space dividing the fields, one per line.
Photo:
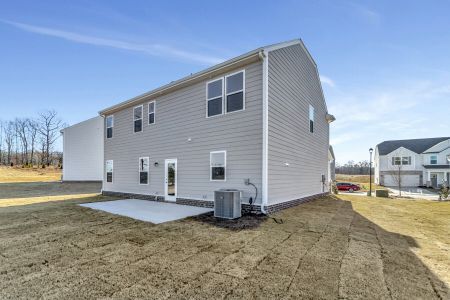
x=18 y=174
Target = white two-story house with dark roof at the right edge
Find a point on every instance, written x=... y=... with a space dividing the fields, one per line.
x=417 y=162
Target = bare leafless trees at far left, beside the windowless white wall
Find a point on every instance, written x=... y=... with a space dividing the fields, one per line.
x=31 y=141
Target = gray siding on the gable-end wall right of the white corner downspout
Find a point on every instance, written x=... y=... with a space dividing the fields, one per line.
x=293 y=86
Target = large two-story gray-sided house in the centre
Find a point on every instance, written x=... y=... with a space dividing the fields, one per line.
x=260 y=116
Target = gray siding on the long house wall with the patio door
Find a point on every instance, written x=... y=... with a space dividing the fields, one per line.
x=181 y=115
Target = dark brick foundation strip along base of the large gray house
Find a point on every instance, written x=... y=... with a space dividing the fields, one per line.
x=246 y=208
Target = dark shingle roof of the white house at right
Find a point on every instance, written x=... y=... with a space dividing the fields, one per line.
x=415 y=145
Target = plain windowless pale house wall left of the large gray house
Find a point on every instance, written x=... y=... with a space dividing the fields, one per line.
x=83 y=151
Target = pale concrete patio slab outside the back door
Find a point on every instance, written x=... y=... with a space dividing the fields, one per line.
x=149 y=211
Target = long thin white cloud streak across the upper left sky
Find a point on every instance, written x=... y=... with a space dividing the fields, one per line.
x=151 y=49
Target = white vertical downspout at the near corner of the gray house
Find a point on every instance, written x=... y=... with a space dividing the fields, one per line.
x=265 y=101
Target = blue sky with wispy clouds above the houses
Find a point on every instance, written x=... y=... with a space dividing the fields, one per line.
x=385 y=65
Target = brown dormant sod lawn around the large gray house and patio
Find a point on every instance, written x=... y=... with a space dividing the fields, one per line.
x=346 y=248
